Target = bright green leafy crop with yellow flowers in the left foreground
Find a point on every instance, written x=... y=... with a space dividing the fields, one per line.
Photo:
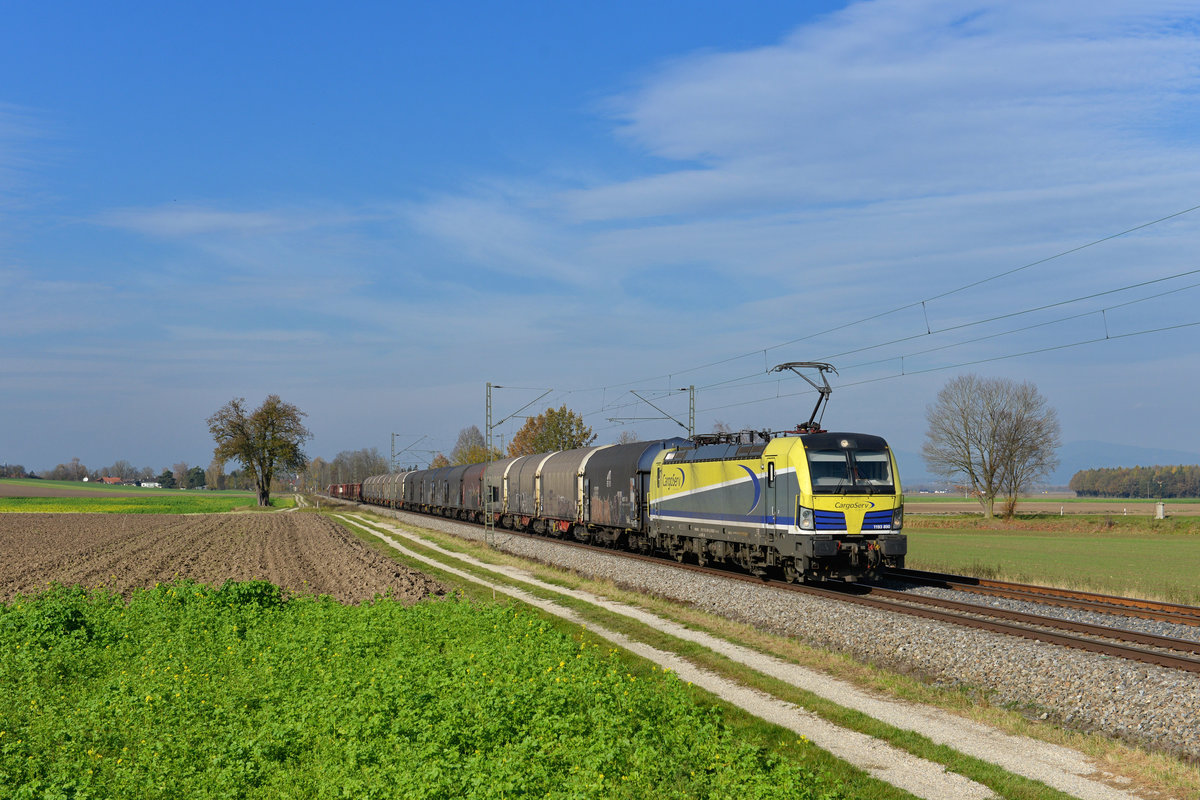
x=190 y=691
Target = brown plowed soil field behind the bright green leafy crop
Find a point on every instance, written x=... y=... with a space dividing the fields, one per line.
x=302 y=552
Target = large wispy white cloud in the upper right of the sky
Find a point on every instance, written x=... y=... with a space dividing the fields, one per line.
x=903 y=100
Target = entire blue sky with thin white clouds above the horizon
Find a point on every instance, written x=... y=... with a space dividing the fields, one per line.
x=375 y=209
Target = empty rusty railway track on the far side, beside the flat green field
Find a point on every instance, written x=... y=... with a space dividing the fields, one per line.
x=1051 y=597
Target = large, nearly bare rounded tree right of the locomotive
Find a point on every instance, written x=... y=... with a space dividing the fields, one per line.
x=1000 y=436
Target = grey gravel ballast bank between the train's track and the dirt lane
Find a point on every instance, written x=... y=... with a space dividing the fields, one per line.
x=1151 y=706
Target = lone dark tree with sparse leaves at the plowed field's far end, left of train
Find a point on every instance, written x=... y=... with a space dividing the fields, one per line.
x=263 y=441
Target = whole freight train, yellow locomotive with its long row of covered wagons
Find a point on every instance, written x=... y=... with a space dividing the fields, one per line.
x=803 y=506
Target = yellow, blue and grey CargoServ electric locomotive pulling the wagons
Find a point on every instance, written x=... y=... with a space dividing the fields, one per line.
x=811 y=506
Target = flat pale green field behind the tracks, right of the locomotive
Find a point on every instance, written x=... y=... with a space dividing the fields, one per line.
x=1123 y=556
